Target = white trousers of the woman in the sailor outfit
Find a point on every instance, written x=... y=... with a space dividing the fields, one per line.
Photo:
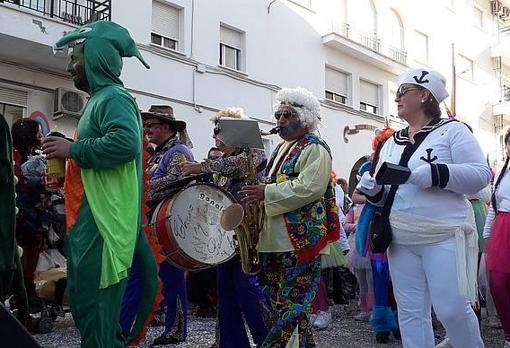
x=425 y=275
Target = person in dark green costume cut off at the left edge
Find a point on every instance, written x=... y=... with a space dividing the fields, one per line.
x=11 y=271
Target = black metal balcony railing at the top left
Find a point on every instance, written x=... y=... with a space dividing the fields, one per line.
x=77 y=12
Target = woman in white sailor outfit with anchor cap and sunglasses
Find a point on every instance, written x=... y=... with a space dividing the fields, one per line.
x=433 y=250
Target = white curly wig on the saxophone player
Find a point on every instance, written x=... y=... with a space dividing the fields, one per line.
x=305 y=104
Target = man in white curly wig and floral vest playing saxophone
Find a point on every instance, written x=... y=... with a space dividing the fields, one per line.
x=300 y=218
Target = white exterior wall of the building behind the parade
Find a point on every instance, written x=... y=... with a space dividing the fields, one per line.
x=283 y=47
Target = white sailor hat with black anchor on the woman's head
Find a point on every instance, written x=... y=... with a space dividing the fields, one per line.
x=431 y=80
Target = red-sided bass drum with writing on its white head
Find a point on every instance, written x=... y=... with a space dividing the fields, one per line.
x=188 y=227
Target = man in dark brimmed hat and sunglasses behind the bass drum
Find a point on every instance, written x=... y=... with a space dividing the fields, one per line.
x=172 y=148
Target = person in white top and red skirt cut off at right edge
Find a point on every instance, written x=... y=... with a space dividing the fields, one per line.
x=497 y=236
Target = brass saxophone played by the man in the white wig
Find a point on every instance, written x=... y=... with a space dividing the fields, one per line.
x=246 y=222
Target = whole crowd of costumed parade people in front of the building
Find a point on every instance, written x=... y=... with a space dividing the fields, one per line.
x=416 y=236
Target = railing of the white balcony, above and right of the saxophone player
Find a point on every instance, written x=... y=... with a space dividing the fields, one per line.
x=370 y=41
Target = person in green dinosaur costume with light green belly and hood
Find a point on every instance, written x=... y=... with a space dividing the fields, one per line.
x=103 y=187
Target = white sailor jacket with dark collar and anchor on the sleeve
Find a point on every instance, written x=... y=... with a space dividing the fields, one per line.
x=447 y=165
